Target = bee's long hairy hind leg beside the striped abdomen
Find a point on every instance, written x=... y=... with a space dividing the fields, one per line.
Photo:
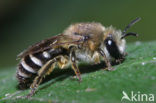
x=46 y=69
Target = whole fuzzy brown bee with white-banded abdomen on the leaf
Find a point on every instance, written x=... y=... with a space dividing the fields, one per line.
x=81 y=42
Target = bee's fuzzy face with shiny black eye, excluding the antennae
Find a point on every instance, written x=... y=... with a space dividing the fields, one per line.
x=114 y=45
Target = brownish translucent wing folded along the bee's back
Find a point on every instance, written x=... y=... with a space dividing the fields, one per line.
x=50 y=43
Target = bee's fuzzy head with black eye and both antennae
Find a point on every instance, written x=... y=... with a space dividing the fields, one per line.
x=114 y=40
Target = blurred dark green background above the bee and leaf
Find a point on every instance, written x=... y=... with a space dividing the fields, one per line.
x=24 y=22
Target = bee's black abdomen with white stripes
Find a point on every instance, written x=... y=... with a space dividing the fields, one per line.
x=30 y=64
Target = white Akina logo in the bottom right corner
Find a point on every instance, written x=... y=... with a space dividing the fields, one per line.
x=137 y=96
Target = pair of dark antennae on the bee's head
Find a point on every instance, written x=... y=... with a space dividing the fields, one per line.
x=128 y=26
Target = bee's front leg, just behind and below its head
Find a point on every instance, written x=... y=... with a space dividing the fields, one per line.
x=108 y=64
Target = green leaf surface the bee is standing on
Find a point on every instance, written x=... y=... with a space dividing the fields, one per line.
x=136 y=73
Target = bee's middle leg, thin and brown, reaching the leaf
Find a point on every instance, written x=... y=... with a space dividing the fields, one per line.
x=74 y=66
